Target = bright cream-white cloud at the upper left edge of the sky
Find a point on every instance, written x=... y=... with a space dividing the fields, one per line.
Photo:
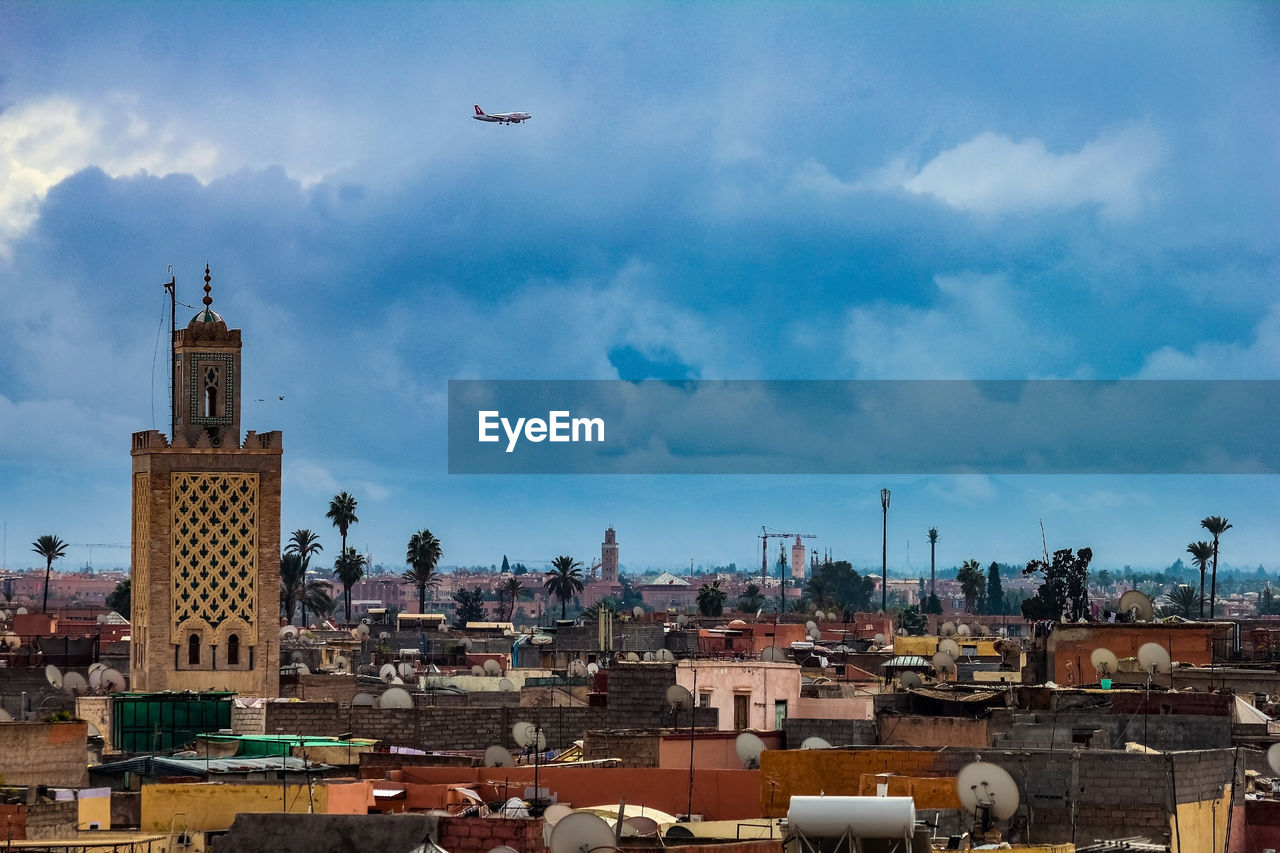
x=43 y=143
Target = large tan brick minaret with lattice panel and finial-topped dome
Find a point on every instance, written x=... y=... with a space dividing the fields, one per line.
x=207 y=531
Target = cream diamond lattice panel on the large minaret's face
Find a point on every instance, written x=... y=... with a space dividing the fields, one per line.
x=214 y=549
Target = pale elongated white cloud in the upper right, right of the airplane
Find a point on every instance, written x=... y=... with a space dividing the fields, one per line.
x=993 y=175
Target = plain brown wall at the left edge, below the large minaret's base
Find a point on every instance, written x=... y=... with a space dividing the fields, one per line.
x=44 y=754
